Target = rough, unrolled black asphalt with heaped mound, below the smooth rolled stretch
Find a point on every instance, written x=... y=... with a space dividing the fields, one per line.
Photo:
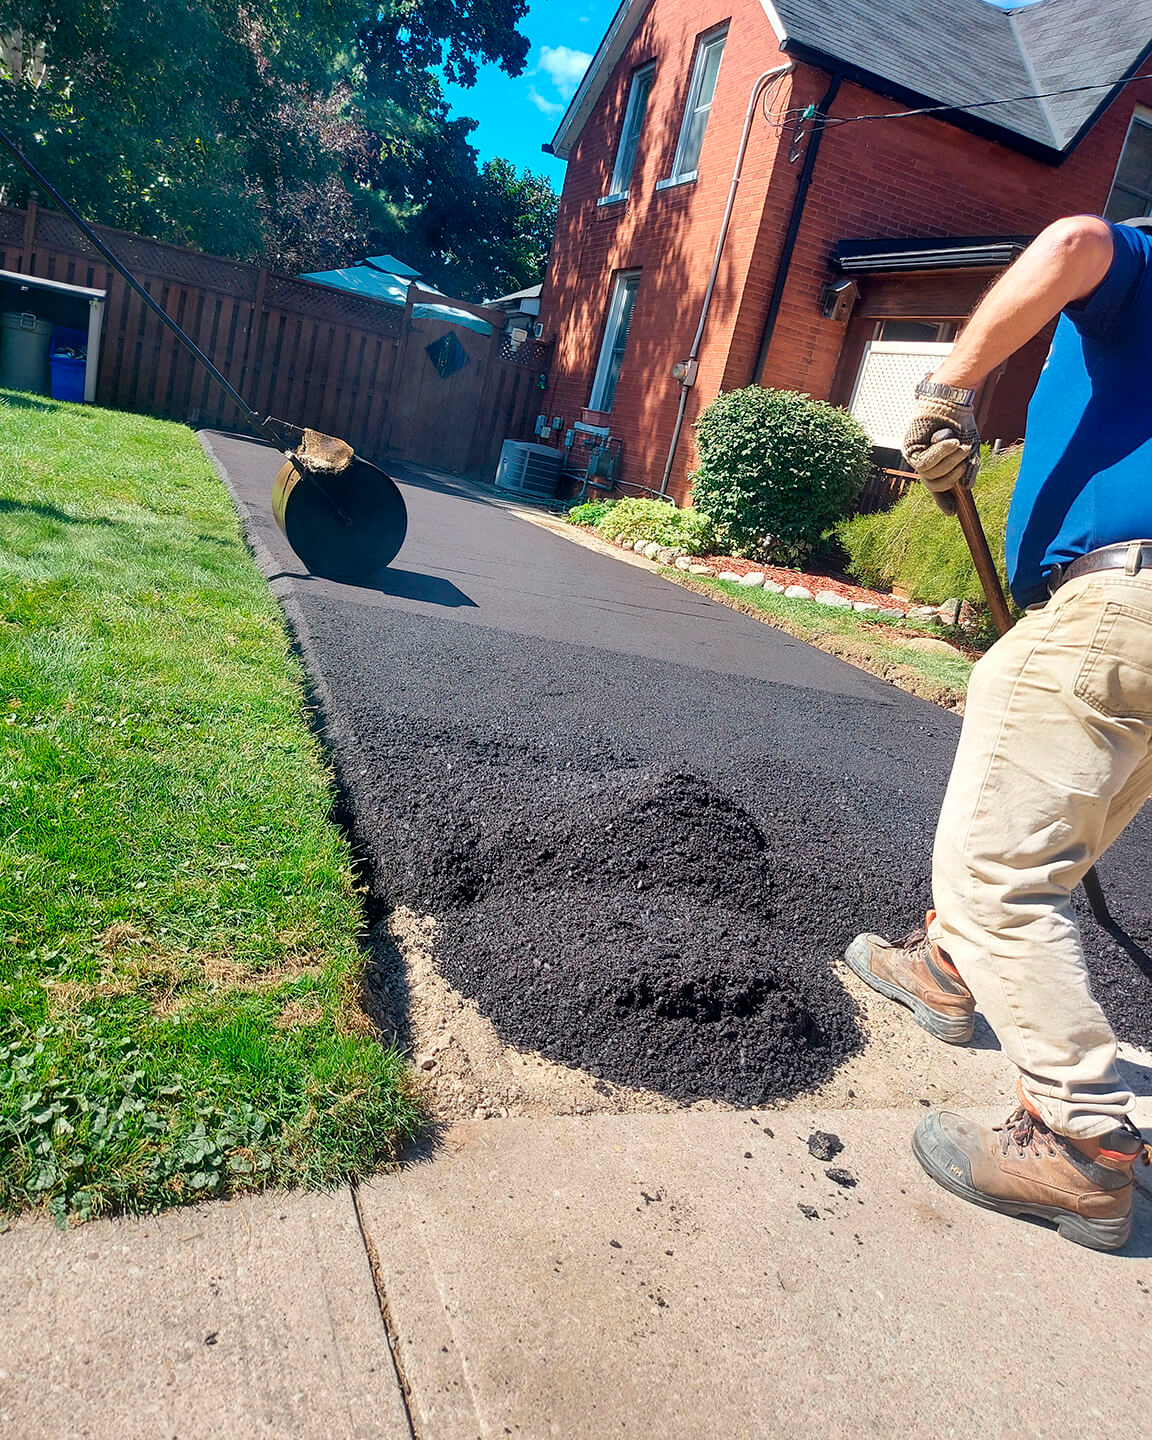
x=647 y=870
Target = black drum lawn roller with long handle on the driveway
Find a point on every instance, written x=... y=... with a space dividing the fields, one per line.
x=342 y=515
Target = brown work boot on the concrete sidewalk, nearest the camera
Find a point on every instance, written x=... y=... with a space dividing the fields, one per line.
x=1023 y=1169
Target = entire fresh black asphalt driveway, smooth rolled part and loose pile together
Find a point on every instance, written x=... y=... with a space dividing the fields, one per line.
x=646 y=822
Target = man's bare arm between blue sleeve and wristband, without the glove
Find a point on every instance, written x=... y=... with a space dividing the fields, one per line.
x=1063 y=264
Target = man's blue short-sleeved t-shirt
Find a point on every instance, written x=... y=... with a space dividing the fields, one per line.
x=1086 y=473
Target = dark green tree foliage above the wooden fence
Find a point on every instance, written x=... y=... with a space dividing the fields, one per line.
x=302 y=136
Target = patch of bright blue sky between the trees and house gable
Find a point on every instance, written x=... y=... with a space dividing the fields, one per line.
x=519 y=116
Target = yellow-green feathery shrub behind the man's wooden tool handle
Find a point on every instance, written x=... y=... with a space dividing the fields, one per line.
x=919 y=549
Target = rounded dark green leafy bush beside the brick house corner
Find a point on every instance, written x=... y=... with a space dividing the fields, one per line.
x=777 y=472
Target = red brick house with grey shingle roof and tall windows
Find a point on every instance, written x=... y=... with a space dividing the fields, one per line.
x=853 y=246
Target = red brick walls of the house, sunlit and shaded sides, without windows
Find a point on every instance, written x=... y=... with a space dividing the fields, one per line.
x=909 y=178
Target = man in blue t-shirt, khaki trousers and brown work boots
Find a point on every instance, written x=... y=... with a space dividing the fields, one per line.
x=1056 y=752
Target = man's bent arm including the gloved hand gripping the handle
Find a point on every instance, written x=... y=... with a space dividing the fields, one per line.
x=1065 y=264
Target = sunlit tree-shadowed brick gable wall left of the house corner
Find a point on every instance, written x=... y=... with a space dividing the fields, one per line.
x=670 y=235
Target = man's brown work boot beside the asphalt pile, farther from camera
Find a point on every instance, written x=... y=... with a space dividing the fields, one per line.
x=918 y=974
